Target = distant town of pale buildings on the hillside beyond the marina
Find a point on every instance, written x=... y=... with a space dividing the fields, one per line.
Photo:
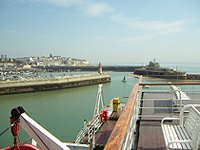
x=39 y=61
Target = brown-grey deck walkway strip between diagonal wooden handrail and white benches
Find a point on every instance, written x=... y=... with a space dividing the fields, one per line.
x=150 y=132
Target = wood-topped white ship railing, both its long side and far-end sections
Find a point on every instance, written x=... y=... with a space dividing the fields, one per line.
x=128 y=121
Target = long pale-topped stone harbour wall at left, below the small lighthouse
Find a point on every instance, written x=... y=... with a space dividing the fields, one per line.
x=45 y=84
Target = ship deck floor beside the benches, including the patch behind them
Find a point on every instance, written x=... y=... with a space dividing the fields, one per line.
x=156 y=106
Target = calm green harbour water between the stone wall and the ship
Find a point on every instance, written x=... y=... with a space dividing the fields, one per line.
x=62 y=111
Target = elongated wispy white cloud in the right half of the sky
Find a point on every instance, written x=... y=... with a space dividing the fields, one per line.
x=155 y=26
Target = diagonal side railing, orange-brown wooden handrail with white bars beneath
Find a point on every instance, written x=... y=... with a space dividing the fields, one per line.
x=123 y=134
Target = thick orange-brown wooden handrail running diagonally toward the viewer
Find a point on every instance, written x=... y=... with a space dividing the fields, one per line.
x=118 y=135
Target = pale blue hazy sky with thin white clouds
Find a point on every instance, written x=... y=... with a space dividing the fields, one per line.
x=106 y=31
